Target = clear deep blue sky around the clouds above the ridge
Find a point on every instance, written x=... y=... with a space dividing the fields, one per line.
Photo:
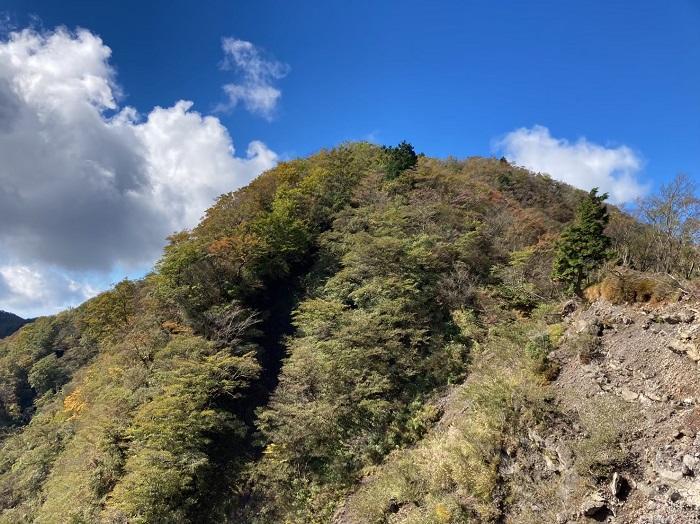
x=448 y=76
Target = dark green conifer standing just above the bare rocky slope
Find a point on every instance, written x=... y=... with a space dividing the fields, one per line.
x=583 y=246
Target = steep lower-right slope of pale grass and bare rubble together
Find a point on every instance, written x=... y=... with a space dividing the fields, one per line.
x=614 y=438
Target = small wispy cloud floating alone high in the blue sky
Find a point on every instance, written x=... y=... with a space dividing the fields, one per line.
x=256 y=89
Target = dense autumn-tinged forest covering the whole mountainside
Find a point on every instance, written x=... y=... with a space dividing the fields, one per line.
x=299 y=341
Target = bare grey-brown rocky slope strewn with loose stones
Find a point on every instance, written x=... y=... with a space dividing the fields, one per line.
x=641 y=367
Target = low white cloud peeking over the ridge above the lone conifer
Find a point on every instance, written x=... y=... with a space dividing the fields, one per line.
x=582 y=163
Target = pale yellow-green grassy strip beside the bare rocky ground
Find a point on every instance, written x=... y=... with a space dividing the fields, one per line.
x=453 y=475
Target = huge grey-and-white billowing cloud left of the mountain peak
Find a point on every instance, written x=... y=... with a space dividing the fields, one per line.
x=87 y=185
